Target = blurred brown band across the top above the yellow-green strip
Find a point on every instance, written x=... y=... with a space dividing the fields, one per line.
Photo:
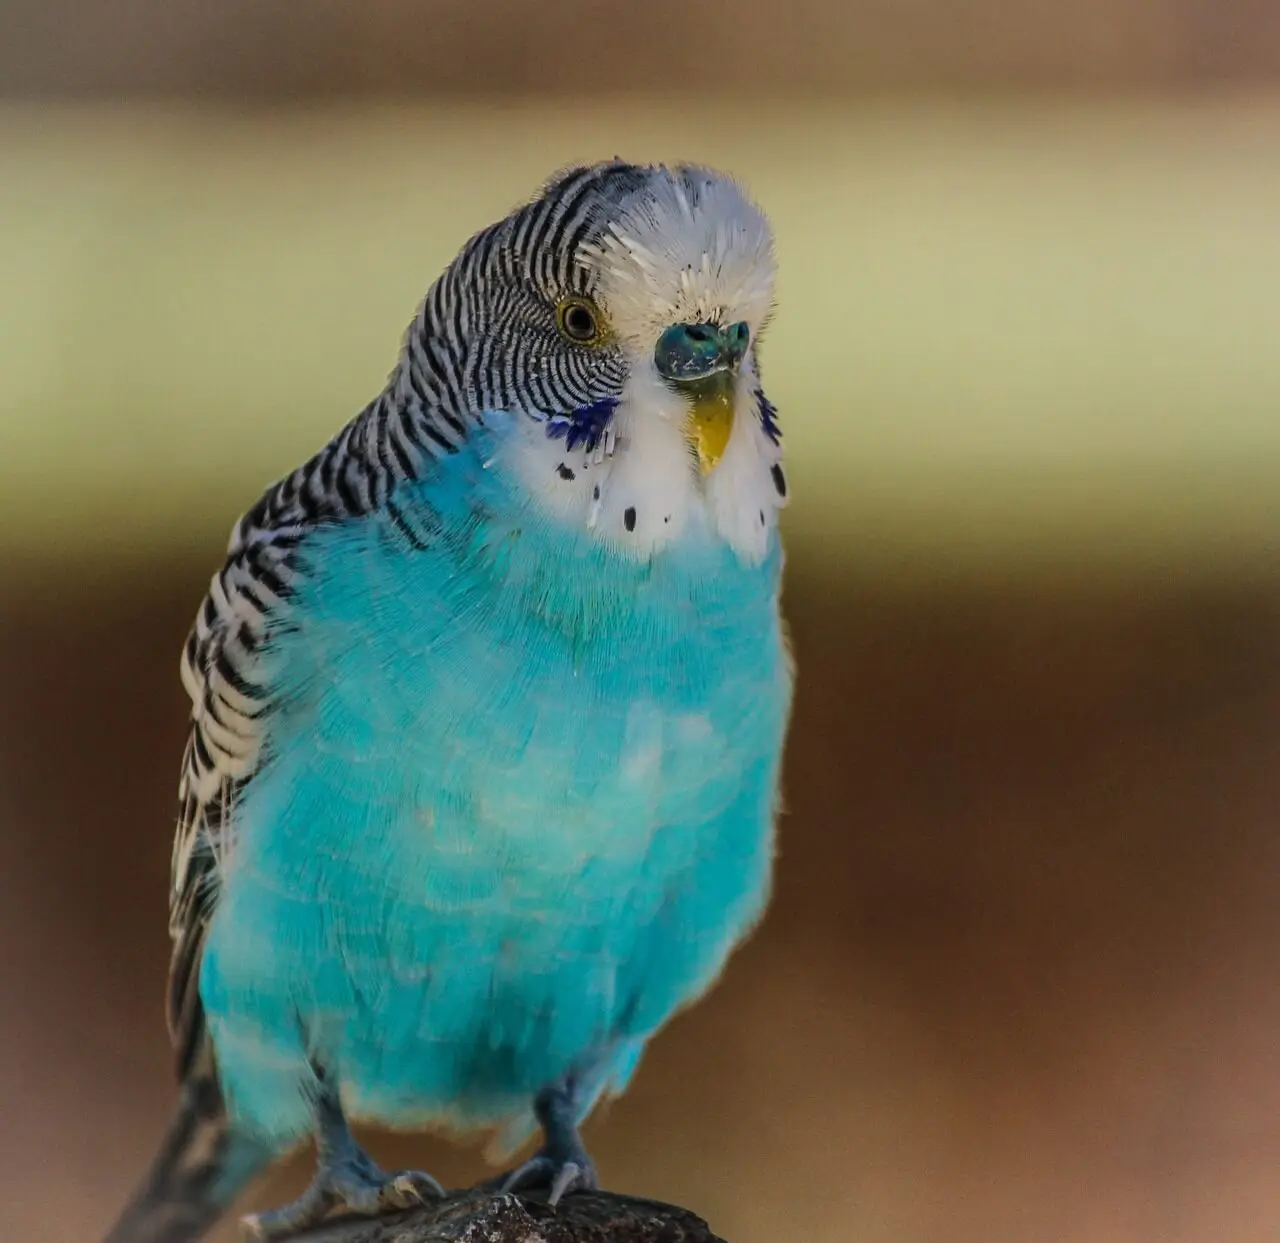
x=281 y=51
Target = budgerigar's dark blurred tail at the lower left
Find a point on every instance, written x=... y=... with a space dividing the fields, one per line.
x=202 y=1168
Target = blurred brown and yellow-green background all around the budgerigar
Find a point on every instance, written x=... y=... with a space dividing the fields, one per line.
x=1021 y=979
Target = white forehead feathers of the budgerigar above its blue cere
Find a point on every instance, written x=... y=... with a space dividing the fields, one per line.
x=688 y=246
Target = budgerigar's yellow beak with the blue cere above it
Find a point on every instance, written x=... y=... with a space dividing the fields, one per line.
x=701 y=362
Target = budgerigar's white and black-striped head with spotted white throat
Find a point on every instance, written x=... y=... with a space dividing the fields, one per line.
x=619 y=313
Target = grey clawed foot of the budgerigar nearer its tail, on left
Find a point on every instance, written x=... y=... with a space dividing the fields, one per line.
x=353 y=1183
